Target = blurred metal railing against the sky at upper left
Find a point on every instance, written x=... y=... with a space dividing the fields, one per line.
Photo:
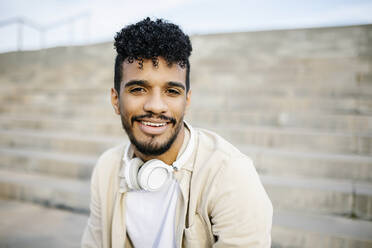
x=43 y=30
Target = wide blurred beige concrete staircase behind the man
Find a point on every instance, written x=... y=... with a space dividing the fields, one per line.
x=299 y=102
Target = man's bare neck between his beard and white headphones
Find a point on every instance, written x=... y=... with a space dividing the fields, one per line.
x=169 y=156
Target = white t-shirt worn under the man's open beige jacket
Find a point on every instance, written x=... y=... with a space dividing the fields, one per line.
x=150 y=216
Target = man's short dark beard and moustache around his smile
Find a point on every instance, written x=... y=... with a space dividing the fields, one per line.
x=151 y=148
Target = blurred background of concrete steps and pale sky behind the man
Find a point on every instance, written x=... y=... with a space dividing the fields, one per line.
x=288 y=82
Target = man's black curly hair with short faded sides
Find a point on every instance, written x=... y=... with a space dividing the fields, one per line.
x=149 y=39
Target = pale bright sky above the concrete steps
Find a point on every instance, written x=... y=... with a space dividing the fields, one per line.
x=100 y=20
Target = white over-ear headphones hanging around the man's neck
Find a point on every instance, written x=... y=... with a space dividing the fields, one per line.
x=153 y=174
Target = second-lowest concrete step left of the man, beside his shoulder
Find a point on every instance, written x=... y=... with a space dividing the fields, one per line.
x=69 y=165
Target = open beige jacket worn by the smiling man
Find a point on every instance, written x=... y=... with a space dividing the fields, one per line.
x=222 y=201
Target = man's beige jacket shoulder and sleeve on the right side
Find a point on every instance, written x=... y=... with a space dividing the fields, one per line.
x=232 y=197
